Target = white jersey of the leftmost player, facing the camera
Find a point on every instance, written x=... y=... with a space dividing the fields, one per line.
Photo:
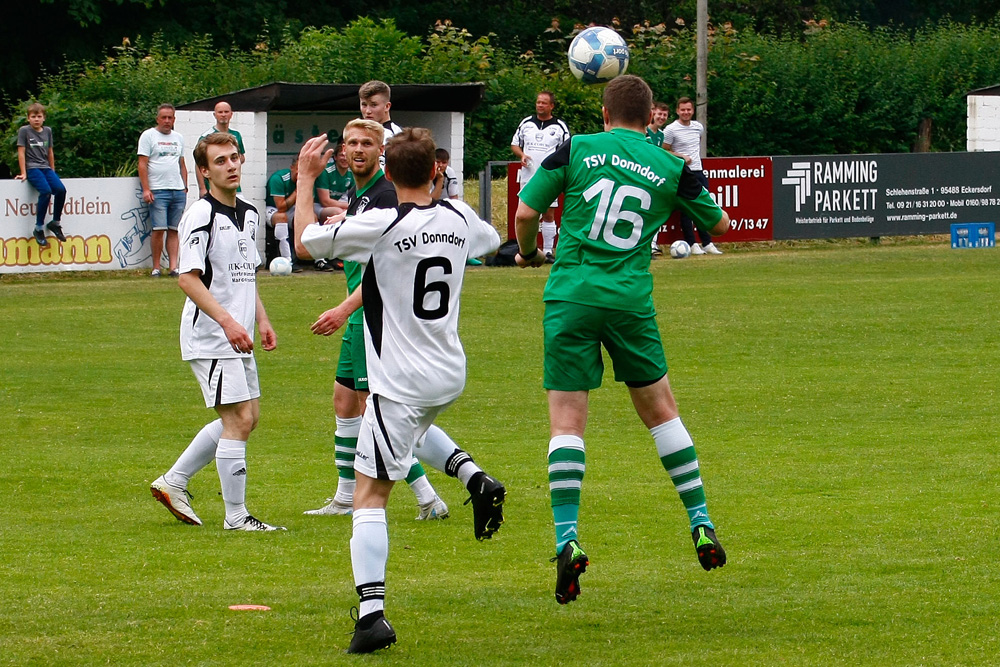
x=220 y=242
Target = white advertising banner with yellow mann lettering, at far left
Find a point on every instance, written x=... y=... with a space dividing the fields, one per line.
x=105 y=221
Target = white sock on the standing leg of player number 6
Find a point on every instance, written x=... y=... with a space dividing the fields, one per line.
x=369 y=555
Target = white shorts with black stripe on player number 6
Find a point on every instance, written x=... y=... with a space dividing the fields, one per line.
x=389 y=431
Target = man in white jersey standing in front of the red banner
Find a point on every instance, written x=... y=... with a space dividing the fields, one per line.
x=535 y=139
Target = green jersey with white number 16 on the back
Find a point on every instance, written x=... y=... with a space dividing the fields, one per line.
x=619 y=189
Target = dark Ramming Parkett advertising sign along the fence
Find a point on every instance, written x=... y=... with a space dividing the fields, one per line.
x=883 y=195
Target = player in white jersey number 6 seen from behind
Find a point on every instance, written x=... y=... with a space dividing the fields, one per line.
x=416 y=364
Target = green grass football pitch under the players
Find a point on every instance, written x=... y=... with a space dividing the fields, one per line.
x=842 y=400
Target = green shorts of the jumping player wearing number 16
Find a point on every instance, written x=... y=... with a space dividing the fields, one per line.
x=574 y=334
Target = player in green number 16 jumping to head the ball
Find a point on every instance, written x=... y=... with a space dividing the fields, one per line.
x=618 y=188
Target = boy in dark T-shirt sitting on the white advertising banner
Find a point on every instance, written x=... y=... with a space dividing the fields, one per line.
x=37 y=160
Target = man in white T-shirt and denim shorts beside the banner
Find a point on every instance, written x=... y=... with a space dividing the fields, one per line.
x=163 y=176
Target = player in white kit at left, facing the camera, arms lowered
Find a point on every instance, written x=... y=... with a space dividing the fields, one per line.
x=218 y=261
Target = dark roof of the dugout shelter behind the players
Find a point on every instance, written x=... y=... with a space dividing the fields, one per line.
x=282 y=96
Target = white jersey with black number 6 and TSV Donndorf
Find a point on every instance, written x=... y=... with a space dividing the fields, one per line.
x=415 y=258
